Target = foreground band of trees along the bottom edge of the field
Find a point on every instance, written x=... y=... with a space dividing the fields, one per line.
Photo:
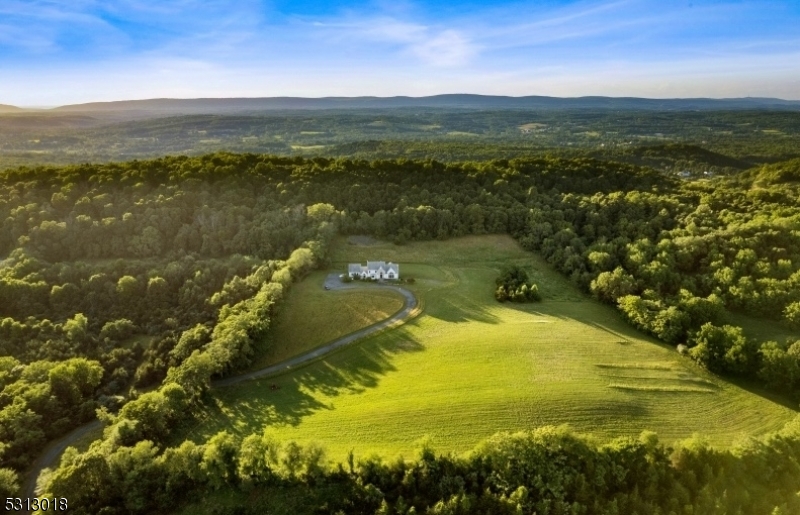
x=547 y=471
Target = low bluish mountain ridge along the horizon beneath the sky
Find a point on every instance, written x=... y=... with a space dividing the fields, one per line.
x=244 y=105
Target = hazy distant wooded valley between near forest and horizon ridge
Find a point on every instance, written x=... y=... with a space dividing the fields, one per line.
x=719 y=141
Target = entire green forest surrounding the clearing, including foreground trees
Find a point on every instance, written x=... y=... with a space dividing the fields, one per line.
x=125 y=287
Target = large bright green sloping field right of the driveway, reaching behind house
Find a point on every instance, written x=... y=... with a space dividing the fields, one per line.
x=469 y=367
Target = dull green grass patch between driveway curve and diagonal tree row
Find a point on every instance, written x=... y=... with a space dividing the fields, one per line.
x=312 y=316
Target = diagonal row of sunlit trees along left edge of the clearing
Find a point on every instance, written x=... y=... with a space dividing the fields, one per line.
x=133 y=434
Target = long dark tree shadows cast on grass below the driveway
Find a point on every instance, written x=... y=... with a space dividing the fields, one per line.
x=287 y=399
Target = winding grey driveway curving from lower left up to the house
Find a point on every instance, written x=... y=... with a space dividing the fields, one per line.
x=52 y=452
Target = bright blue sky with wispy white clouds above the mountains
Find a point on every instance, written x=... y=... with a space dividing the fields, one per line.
x=56 y=52
